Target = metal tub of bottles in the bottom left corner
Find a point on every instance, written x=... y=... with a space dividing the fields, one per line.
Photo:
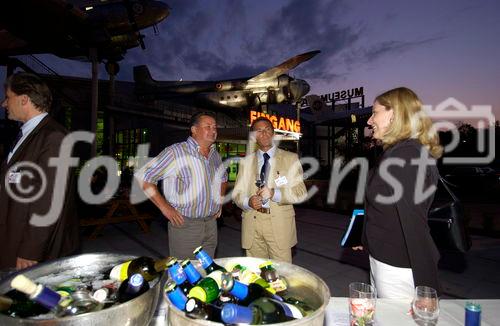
x=134 y=312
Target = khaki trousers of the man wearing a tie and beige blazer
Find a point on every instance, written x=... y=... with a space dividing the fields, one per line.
x=264 y=244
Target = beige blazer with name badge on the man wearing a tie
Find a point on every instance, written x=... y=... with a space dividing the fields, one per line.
x=282 y=214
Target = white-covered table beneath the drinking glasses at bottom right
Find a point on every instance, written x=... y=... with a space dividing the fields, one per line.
x=389 y=312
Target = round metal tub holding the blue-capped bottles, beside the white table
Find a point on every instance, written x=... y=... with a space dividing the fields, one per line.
x=303 y=284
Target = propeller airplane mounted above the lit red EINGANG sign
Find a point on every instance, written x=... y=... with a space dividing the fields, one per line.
x=273 y=86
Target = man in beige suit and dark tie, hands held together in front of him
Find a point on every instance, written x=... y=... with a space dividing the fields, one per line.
x=268 y=224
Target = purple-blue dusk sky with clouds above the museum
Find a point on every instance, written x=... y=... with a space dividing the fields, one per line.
x=441 y=49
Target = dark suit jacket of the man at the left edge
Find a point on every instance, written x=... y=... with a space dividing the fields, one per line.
x=18 y=237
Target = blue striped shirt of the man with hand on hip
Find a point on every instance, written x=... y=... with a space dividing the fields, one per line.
x=191 y=182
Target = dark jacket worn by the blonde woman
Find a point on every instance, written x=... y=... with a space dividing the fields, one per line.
x=397 y=234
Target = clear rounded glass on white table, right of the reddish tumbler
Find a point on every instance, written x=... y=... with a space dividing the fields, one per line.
x=426 y=305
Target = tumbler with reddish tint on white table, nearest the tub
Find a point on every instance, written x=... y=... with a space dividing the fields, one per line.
x=362 y=299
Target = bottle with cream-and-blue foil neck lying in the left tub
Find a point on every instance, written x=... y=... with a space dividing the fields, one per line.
x=77 y=303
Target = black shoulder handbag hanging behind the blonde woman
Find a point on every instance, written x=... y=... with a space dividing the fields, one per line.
x=447 y=224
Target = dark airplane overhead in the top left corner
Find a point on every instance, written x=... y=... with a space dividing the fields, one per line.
x=69 y=31
